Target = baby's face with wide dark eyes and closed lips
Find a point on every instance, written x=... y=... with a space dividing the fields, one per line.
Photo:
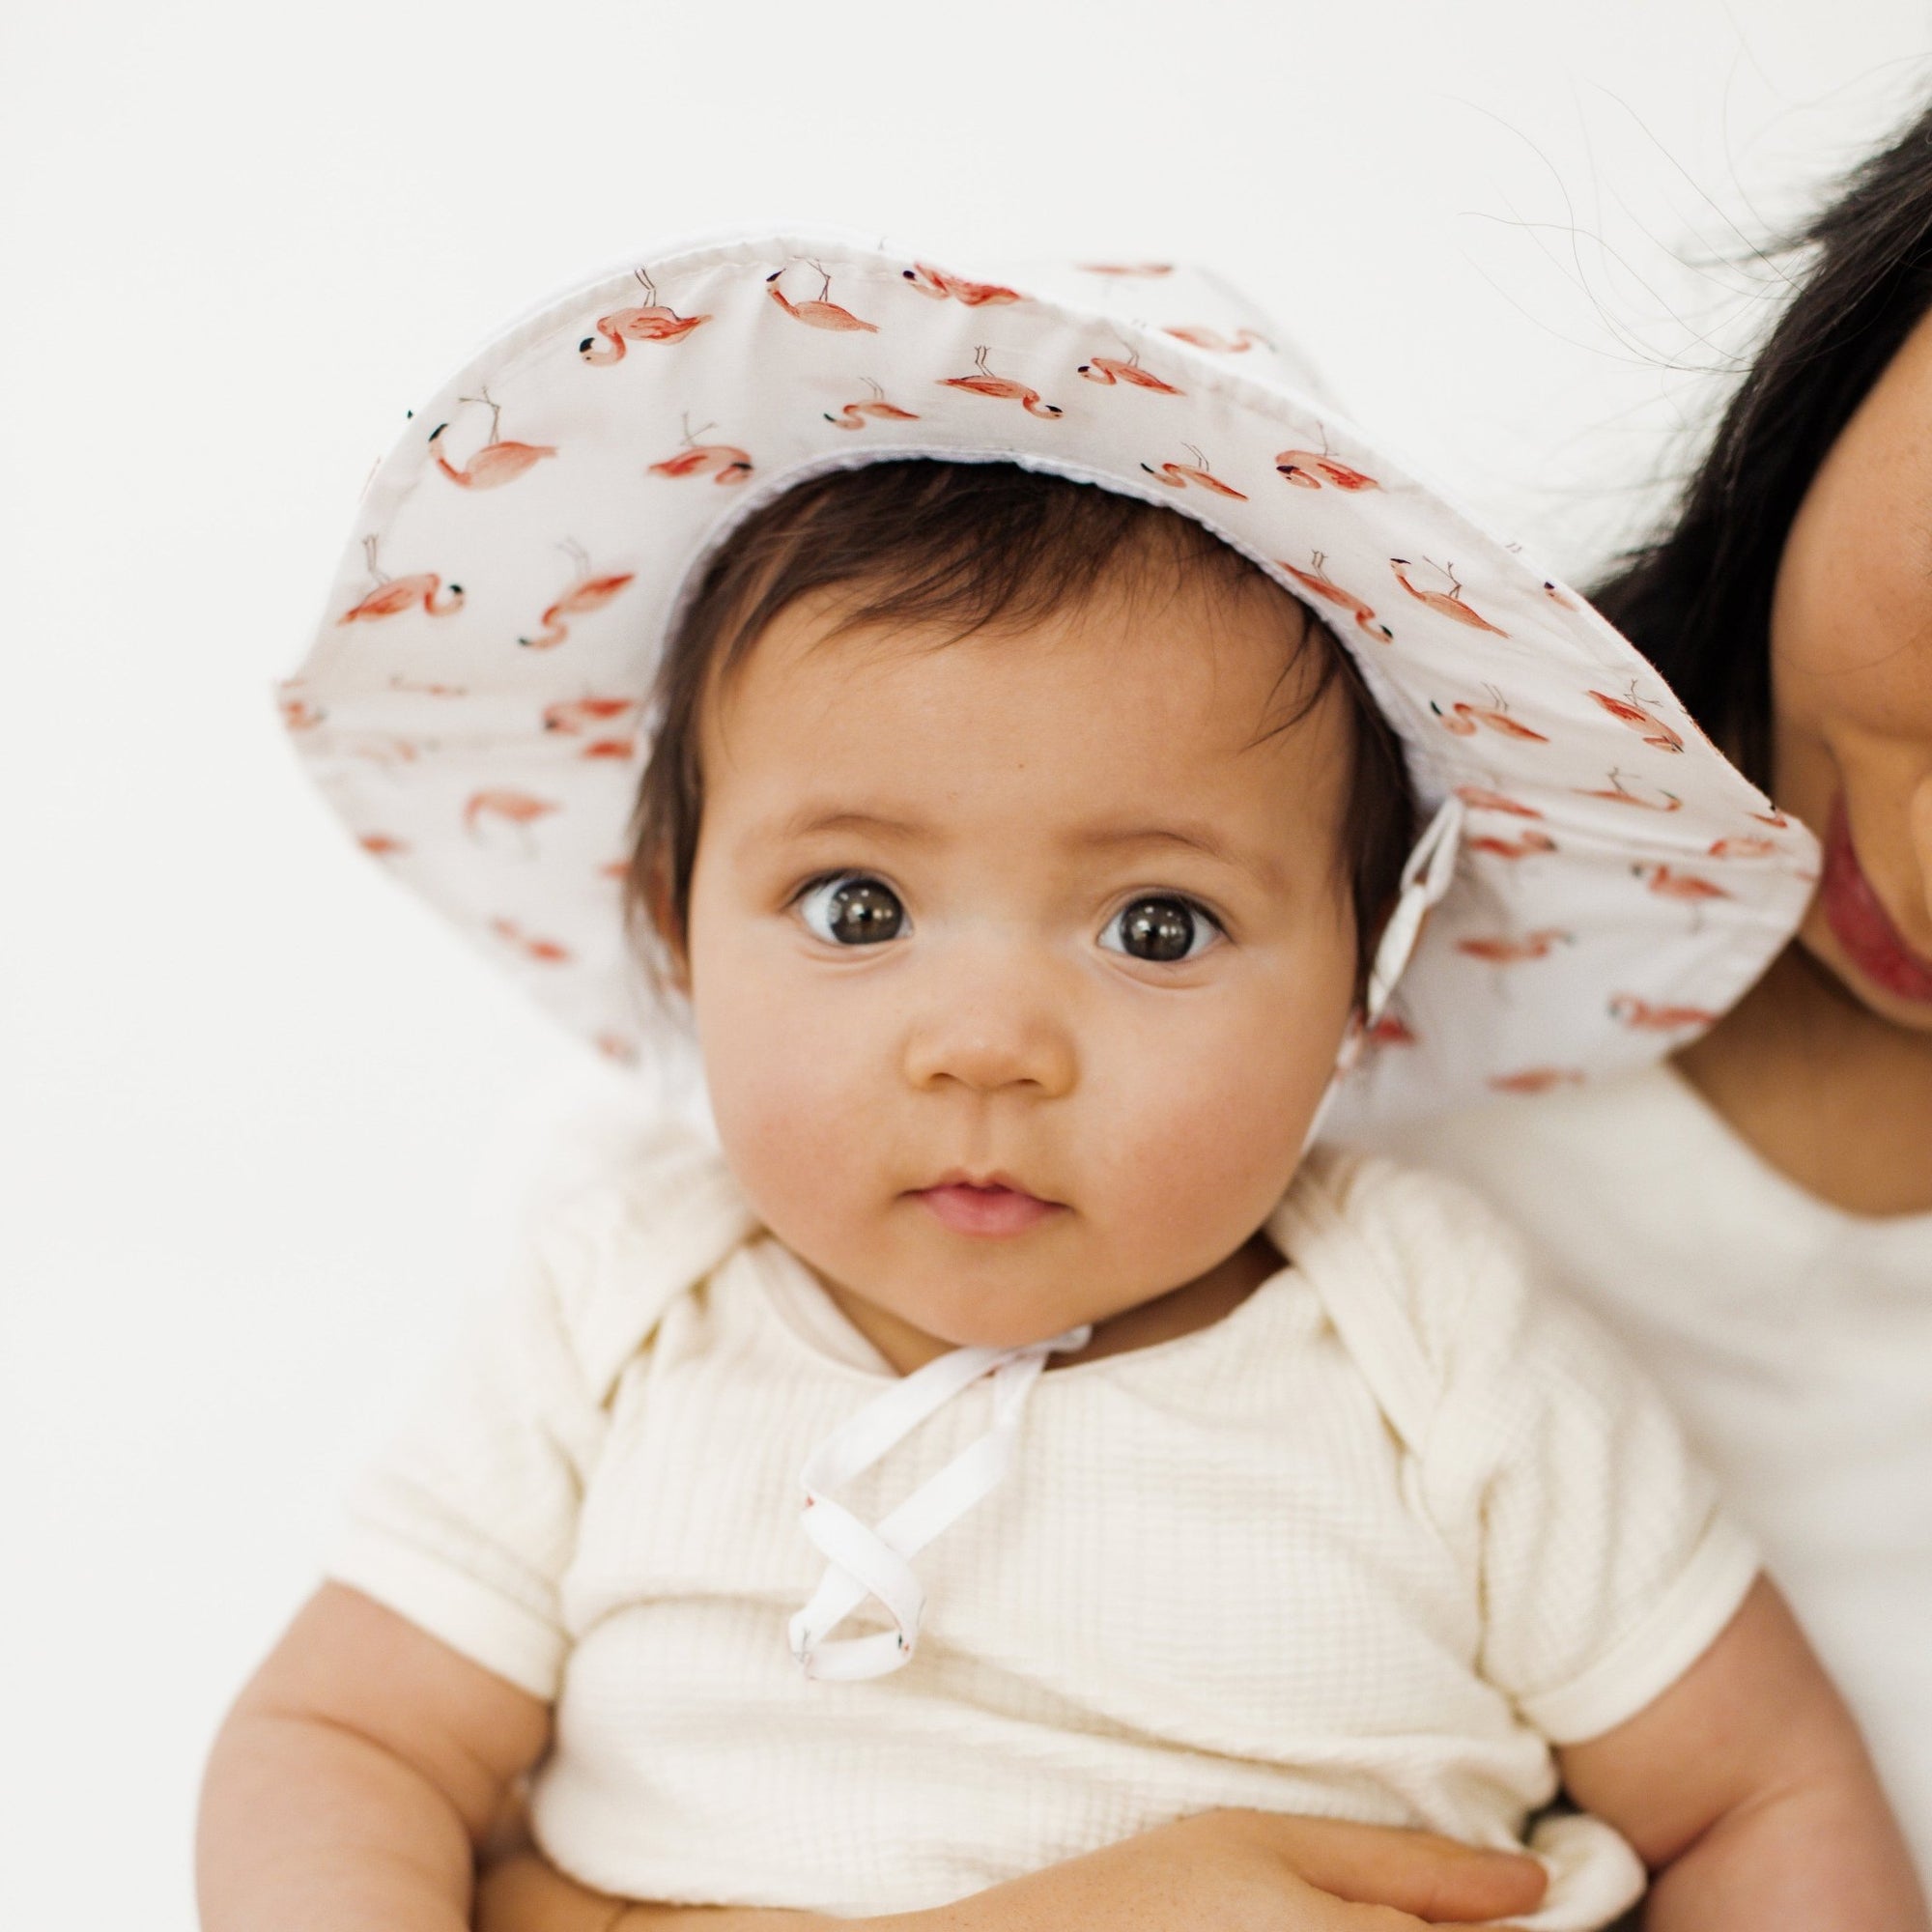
x=1021 y=961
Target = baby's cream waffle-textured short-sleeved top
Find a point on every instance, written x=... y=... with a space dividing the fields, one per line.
x=1363 y=1550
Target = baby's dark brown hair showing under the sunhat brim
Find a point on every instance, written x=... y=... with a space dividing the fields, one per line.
x=967 y=548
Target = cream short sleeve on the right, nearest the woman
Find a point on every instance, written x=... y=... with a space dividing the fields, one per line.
x=1606 y=1564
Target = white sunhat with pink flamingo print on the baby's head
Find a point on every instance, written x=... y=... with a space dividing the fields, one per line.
x=474 y=700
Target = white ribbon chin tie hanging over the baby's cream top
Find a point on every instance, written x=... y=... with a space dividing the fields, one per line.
x=872 y=1562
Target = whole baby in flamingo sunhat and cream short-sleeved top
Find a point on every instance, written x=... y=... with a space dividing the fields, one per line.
x=1029 y=861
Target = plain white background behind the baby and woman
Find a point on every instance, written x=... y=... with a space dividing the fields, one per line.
x=262 y=1118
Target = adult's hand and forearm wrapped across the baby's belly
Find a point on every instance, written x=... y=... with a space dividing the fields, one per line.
x=1216 y=1873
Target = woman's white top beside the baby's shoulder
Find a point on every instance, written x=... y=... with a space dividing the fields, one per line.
x=1794 y=1340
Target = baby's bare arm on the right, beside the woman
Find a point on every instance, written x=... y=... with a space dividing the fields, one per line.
x=1749 y=1794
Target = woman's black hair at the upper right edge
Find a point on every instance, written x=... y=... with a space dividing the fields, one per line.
x=1699 y=600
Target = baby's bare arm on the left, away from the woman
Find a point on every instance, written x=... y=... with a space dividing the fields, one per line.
x=356 y=1776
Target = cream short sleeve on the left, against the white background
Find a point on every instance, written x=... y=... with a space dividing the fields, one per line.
x=469 y=1523
